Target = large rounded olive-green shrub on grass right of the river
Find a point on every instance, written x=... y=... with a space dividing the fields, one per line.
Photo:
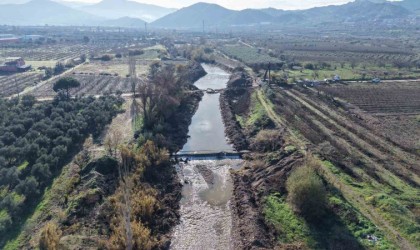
x=306 y=192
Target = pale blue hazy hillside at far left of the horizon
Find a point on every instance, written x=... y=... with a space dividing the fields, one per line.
x=41 y=12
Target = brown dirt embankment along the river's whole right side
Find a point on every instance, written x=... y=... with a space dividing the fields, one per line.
x=257 y=178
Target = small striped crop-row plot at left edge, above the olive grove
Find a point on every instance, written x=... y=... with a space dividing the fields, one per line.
x=16 y=83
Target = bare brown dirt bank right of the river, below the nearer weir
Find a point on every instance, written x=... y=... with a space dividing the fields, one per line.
x=251 y=184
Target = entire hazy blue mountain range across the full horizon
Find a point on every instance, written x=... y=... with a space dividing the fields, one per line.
x=127 y=13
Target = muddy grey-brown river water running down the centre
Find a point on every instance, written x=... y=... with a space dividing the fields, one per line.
x=206 y=216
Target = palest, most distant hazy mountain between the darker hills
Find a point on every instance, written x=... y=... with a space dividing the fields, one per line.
x=121 y=8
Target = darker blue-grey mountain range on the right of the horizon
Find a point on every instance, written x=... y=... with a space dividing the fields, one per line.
x=217 y=16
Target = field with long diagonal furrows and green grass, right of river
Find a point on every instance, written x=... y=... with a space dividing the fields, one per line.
x=370 y=169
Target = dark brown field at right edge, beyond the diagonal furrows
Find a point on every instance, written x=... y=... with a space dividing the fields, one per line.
x=390 y=107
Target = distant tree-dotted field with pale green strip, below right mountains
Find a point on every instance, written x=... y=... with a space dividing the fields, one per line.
x=351 y=58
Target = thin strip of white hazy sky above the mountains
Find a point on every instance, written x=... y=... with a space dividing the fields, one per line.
x=242 y=4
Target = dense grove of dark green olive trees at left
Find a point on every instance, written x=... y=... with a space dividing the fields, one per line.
x=36 y=139
